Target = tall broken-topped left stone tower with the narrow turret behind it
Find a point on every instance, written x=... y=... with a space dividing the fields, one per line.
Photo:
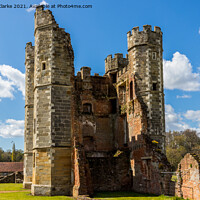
x=50 y=112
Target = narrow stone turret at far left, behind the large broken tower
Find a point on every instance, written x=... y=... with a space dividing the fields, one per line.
x=29 y=100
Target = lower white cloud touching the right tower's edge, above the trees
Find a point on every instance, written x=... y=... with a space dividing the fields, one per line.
x=173 y=120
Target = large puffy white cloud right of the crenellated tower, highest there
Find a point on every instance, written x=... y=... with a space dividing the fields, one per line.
x=178 y=74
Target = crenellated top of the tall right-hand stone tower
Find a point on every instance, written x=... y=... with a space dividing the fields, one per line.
x=144 y=37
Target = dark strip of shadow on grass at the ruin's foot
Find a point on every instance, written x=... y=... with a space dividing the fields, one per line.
x=120 y=194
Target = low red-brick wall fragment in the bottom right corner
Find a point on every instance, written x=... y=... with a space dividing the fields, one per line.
x=188 y=177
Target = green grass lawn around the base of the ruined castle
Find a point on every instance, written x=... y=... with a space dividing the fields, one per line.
x=23 y=194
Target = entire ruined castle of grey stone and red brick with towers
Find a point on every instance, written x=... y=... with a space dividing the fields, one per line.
x=86 y=133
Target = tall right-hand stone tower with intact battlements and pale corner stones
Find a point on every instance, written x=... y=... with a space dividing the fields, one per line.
x=145 y=60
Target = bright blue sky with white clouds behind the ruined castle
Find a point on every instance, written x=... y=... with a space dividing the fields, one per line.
x=95 y=33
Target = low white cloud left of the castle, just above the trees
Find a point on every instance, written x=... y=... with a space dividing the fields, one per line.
x=12 y=128
